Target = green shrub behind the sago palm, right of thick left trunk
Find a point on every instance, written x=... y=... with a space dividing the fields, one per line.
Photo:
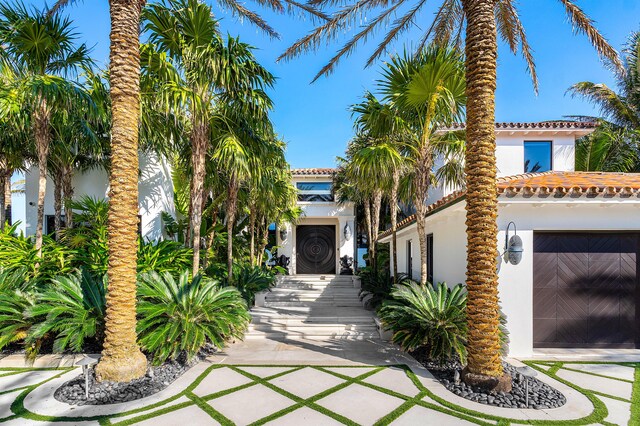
x=164 y=256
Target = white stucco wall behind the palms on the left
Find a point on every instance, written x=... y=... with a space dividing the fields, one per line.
x=155 y=193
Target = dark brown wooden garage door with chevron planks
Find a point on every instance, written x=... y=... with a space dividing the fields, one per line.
x=585 y=290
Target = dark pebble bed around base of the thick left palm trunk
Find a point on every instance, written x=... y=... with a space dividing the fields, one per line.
x=156 y=379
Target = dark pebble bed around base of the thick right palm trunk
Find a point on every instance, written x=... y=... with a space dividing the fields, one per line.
x=541 y=395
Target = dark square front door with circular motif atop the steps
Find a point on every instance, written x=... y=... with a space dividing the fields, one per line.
x=316 y=249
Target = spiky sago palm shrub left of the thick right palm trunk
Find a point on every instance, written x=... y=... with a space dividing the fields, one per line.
x=433 y=317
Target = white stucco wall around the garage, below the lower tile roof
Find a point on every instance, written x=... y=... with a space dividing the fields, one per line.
x=516 y=281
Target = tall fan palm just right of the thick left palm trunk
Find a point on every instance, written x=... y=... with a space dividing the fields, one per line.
x=207 y=73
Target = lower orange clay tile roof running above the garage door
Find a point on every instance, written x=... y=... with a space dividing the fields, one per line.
x=548 y=184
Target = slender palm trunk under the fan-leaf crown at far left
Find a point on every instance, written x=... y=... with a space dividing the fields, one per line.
x=41 y=135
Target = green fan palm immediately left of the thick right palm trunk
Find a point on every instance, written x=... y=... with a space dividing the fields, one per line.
x=428 y=91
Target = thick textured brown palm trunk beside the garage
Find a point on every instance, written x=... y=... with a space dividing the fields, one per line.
x=483 y=317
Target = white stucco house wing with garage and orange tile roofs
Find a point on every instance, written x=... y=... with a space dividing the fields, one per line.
x=576 y=285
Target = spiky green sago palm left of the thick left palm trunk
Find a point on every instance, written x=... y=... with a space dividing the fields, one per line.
x=71 y=310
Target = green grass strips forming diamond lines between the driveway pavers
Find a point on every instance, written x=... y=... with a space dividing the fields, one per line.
x=433 y=402
